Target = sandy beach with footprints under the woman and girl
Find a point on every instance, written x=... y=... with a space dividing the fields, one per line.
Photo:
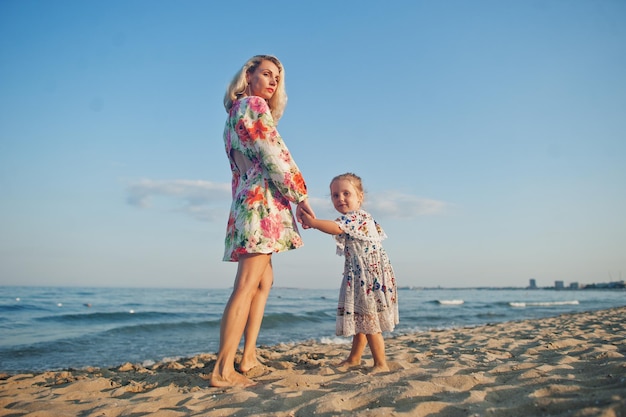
x=570 y=365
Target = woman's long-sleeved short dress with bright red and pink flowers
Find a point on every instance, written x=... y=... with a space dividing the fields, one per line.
x=261 y=219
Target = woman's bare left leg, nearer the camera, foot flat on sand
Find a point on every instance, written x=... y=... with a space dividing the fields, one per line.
x=250 y=272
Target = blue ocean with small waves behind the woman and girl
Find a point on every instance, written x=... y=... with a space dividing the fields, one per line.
x=60 y=328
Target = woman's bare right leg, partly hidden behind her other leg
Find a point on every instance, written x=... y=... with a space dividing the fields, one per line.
x=253 y=326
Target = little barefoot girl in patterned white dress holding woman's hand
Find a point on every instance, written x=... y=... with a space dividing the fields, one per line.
x=368 y=299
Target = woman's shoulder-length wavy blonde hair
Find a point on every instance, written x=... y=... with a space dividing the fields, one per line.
x=237 y=87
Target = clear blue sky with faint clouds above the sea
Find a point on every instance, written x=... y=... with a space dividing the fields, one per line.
x=490 y=136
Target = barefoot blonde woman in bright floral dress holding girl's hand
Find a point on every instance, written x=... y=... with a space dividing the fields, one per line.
x=265 y=181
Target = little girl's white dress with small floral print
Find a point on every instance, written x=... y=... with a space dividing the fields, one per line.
x=368 y=298
